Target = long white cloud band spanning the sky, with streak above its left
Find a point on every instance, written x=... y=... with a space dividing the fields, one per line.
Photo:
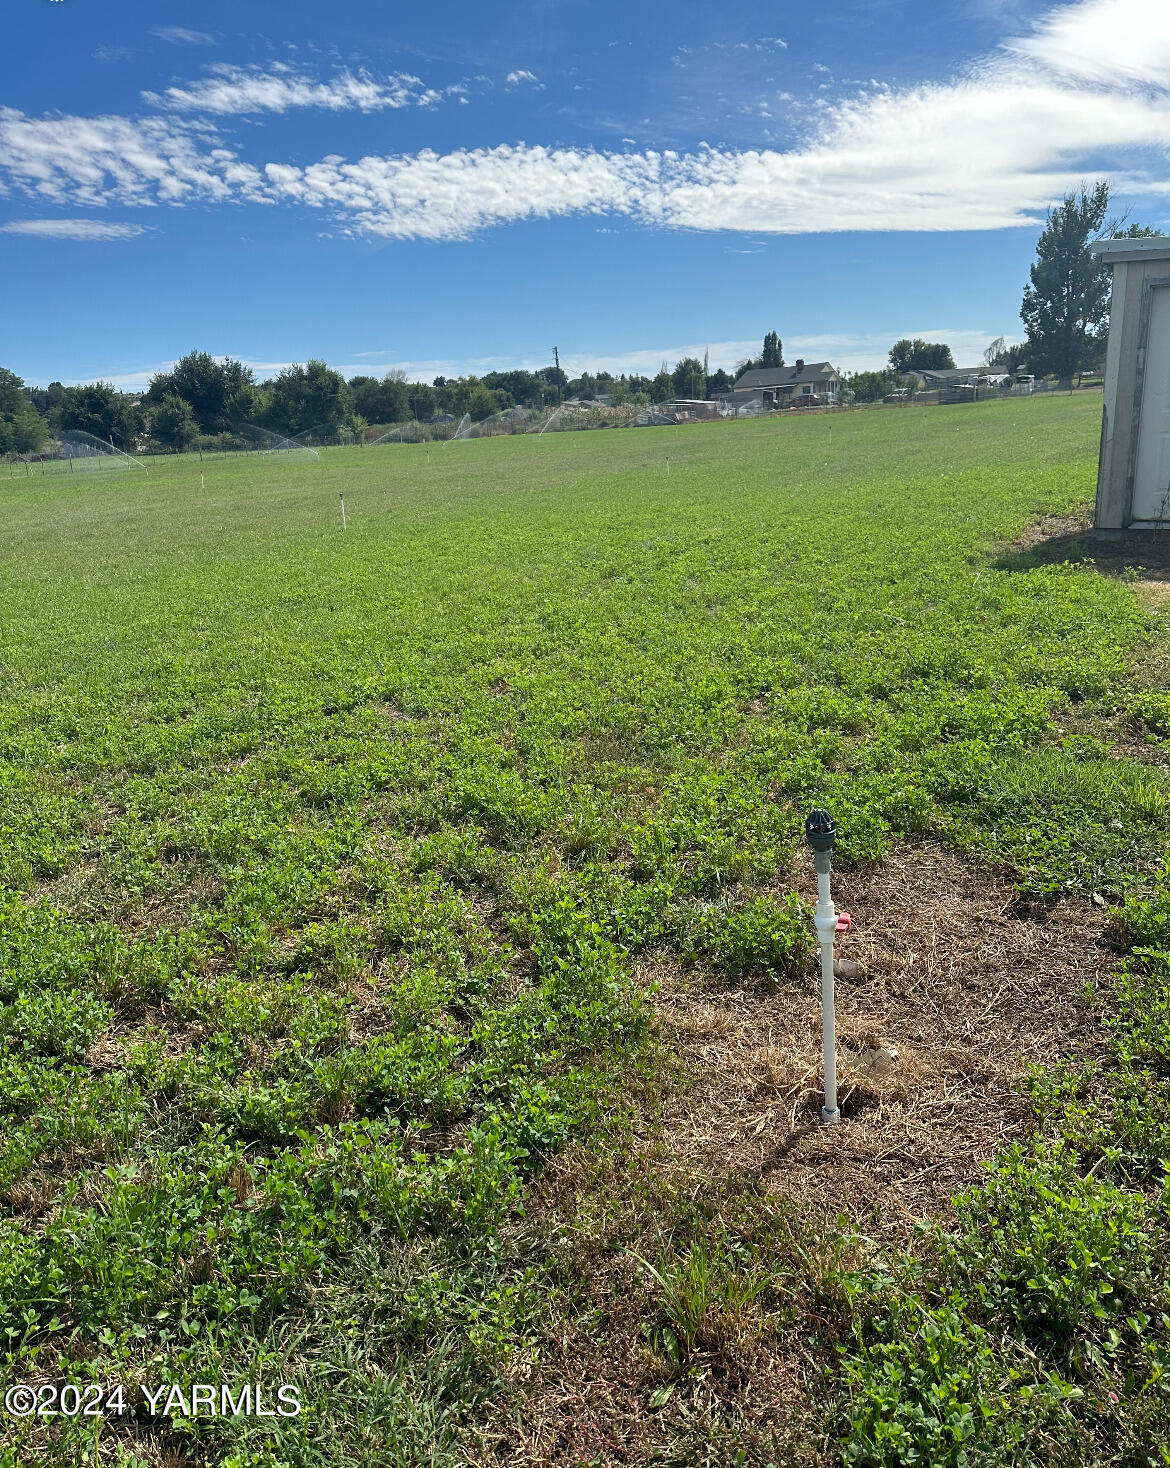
x=990 y=150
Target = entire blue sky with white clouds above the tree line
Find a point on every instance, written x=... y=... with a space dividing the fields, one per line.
x=456 y=189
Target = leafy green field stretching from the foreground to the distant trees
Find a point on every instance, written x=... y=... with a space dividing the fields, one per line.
x=328 y=862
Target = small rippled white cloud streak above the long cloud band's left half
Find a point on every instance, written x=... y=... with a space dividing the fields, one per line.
x=281 y=89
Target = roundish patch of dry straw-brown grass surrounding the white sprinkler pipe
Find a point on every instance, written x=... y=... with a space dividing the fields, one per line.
x=965 y=984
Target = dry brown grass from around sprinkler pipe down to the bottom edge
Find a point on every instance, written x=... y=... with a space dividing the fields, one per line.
x=968 y=986
